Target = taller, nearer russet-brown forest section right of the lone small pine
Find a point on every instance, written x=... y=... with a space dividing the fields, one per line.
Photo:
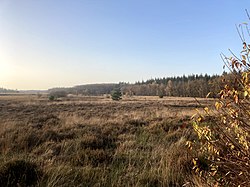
x=181 y=86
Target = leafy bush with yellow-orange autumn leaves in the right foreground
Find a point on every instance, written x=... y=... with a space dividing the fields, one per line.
x=225 y=143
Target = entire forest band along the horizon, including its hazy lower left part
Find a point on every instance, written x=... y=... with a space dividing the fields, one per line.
x=180 y=86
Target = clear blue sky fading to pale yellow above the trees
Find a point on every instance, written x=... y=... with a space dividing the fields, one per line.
x=62 y=43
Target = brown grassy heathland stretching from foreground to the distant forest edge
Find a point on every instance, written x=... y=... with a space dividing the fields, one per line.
x=94 y=141
